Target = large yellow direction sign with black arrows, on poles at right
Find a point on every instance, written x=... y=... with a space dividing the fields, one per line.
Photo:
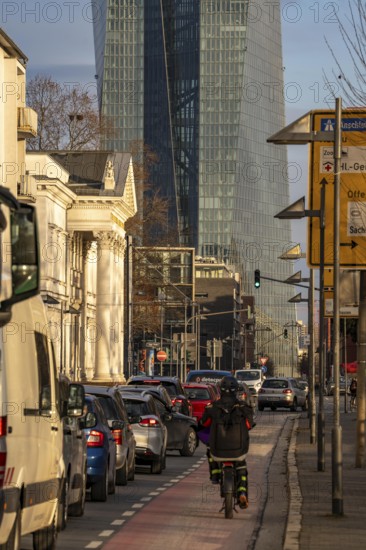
x=352 y=189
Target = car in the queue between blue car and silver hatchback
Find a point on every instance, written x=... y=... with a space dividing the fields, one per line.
x=116 y=414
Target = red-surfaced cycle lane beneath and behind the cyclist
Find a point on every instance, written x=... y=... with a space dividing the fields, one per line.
x=186 y=516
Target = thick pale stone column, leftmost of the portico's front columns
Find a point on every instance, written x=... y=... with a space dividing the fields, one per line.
x=104 y=302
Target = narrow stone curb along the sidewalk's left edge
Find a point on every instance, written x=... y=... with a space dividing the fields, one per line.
x=294 y=518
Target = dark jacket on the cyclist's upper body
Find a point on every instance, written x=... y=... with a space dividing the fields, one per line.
x=230 y=422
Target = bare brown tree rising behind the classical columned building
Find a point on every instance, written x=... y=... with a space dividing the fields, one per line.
x=68 y=118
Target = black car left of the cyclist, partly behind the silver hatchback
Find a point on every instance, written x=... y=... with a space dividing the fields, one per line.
x=181 y=428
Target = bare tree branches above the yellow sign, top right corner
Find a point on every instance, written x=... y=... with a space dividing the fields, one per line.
x=352 y=78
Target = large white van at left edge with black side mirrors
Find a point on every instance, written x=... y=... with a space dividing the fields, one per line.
x=31 y=430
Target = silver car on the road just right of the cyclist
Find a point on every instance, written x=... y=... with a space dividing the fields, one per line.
x=281 y=392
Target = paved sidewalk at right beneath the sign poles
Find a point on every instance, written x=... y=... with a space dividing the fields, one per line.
x=311 y=524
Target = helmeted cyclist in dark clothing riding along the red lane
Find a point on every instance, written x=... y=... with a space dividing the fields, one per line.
x=230 y=421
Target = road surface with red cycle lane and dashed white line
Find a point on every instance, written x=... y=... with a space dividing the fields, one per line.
x=193 y=502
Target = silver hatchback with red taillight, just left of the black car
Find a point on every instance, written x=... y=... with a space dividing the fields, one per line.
x=150 y=432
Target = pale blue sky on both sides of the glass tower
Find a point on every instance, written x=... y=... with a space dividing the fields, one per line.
x=57 y=38
